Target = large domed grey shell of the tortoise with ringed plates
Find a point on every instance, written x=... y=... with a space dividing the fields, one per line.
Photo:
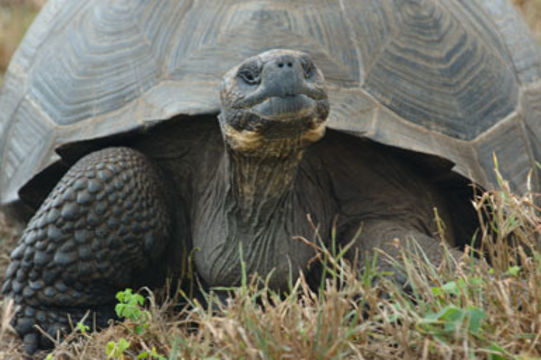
x=456 y=79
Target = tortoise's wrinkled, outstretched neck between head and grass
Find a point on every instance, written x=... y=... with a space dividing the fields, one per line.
x=254 y=201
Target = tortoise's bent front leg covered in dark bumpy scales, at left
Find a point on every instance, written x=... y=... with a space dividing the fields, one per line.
x=105 y=221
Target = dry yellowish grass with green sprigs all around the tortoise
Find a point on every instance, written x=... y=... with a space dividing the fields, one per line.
x=479 y=311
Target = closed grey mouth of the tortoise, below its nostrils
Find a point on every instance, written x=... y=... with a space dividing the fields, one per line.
x=281 y=108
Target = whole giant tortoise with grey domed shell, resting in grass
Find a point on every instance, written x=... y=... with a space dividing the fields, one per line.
x=163 y=160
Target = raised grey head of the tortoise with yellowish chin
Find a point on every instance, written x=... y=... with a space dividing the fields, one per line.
x=272 y=103
